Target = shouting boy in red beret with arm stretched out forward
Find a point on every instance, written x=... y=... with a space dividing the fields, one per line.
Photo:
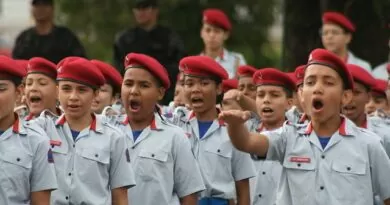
x=329 y=161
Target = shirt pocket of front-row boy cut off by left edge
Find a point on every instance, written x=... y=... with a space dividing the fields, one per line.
x=15 y=169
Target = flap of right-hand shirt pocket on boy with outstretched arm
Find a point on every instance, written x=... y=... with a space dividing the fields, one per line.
x=350 y=166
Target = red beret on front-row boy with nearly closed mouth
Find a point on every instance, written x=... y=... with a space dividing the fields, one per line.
x=80 y=70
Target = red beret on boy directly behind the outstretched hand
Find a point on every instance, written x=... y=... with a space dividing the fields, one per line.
x=202 y=66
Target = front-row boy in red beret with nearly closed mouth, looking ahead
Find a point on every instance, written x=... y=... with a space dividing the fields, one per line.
x=92 y=159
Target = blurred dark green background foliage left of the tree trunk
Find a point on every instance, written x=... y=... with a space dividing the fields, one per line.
x=98 y=21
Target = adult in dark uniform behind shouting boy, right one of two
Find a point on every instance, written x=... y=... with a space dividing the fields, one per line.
x=152 y=39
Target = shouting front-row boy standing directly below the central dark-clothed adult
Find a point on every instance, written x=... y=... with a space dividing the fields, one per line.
x=166 y=170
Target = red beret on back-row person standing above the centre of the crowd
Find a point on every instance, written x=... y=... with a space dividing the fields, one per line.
x=217 y=17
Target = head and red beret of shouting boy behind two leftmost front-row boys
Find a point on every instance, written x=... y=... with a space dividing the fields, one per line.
x=41 y=88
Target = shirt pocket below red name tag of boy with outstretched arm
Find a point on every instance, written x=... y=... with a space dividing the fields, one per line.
x=300 y=178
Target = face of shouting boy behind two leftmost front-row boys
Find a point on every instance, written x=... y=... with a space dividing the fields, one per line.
x=41 y=93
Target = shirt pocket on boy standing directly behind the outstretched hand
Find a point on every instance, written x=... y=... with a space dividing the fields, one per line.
x=217 y=162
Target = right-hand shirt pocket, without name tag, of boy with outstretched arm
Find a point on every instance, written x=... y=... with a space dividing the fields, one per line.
x=349 y=177
